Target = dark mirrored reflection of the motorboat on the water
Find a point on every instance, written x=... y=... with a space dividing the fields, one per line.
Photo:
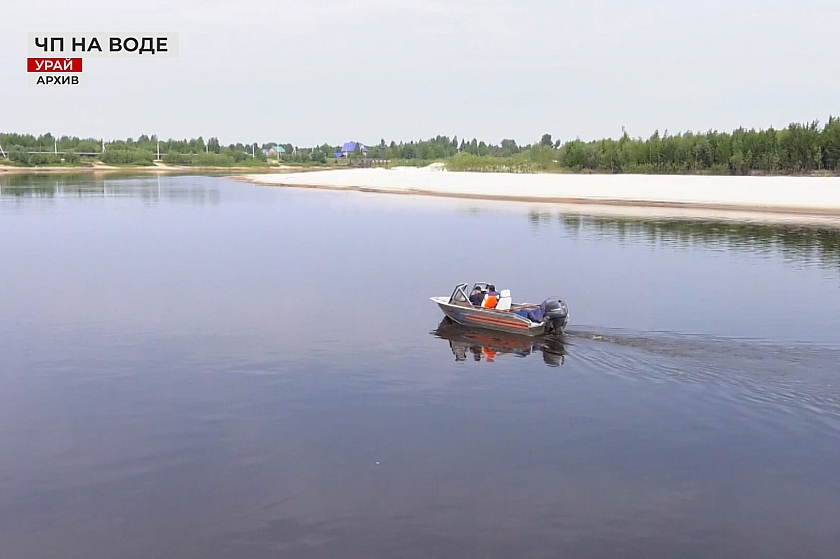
x=479 y=344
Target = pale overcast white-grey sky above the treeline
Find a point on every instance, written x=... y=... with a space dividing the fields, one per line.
x=313 y=71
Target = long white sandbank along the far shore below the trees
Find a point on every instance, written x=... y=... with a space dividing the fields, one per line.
x=787 y=197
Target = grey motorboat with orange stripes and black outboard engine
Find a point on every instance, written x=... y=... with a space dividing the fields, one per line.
x=547 y=318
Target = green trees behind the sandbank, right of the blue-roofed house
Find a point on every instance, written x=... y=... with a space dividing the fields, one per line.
x=797 y=149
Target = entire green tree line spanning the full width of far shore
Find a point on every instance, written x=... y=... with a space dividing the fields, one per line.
x=797 y=149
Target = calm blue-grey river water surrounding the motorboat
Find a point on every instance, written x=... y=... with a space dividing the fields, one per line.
x=192 y=367
